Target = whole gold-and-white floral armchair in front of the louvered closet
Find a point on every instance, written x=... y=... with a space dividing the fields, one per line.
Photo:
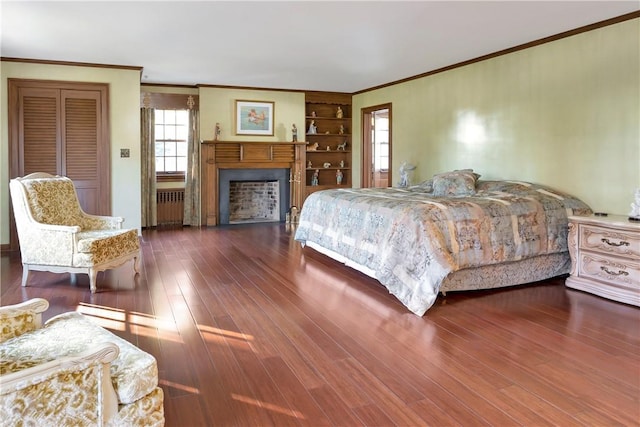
x=56 y=235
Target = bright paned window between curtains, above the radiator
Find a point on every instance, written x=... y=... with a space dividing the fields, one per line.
x=172 y=131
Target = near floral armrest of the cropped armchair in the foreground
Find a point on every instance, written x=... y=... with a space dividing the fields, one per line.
x=23 y=393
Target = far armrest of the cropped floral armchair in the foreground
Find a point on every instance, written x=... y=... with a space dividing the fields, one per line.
x=21 y=318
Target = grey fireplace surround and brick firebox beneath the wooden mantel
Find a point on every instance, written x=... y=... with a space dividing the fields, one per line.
x=253 y=195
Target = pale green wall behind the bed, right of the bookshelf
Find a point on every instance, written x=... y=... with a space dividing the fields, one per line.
x=565 y=113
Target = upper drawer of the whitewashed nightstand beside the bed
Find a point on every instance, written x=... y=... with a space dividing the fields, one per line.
x=610 y=241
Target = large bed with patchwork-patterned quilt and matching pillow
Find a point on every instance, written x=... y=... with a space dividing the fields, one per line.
x=453 y=232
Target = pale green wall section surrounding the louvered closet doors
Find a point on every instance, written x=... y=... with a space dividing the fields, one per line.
x=124 y=115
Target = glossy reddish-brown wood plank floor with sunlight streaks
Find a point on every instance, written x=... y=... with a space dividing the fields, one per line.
x=249 y=329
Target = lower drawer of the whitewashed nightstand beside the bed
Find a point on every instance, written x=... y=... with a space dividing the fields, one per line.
x=617 y=271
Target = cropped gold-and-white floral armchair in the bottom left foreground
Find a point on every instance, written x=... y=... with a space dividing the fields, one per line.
x=72 y=372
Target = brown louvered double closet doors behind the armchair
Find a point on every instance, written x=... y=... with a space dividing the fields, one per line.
x=64 y=131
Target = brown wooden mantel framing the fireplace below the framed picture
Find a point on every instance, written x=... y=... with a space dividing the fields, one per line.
x=216 y=155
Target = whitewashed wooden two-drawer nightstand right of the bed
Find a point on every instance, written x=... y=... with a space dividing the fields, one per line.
x=605 y=257
